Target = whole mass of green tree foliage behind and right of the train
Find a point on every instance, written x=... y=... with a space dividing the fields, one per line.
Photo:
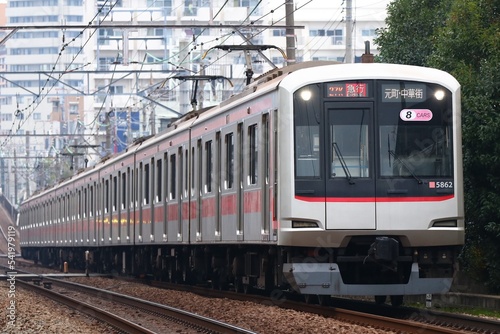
x=465 y=43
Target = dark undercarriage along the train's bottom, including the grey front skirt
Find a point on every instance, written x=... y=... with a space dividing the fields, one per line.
x=373 y=266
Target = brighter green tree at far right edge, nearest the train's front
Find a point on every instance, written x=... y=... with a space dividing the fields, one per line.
x=468 y=47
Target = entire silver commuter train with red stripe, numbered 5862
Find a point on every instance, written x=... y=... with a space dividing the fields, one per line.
x=319 y=178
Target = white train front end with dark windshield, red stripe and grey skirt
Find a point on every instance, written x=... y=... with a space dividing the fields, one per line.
x=370 y=180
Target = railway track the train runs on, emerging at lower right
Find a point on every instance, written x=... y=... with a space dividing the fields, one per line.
x=401 y=319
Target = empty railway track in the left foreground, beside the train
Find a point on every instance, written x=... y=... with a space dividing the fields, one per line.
x=114 y=309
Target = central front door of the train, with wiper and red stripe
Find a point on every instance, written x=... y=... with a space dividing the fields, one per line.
x=350 y=181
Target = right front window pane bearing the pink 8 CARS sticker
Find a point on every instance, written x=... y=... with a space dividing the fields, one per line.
x=415 y=130
